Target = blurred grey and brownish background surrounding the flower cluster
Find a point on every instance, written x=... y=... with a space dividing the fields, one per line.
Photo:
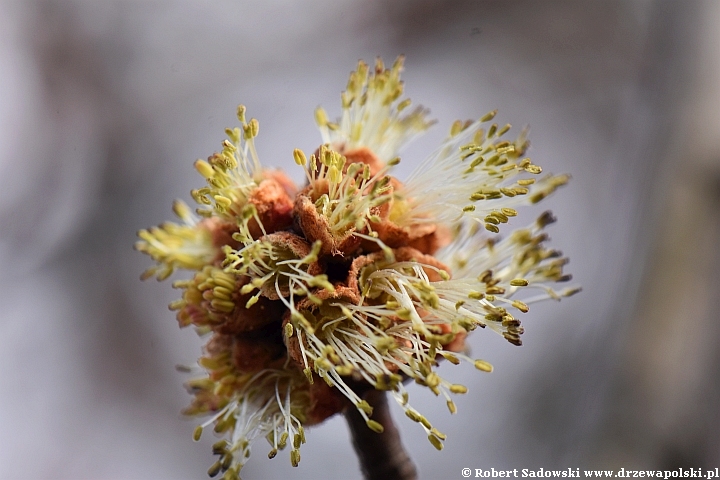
x=105 y=105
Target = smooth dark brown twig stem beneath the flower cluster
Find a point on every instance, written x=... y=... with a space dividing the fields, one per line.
x=381 y=455
